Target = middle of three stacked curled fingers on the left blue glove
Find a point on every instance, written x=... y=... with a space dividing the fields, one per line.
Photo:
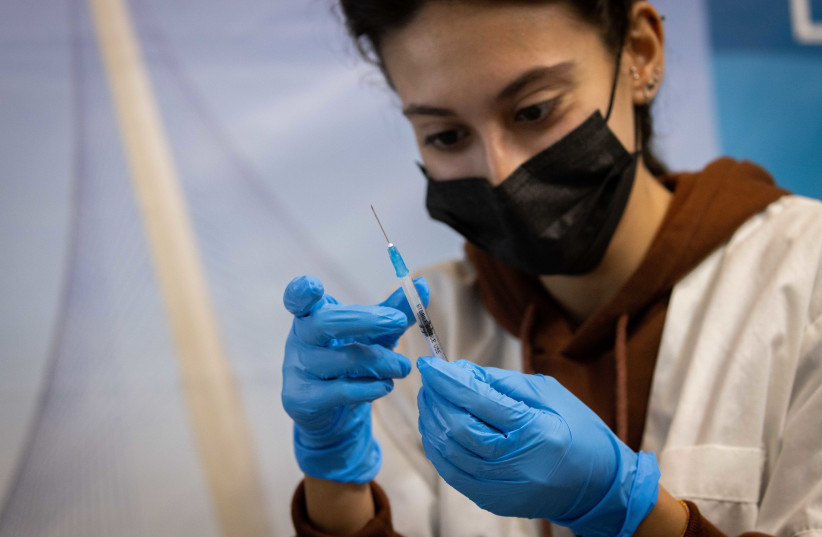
x=353 y=360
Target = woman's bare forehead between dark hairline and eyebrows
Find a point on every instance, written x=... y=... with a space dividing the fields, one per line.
x=452 y=47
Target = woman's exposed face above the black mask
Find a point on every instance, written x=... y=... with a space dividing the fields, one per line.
x=487 y=86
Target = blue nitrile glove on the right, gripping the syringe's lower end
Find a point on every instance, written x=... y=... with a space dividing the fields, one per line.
x=523 y=445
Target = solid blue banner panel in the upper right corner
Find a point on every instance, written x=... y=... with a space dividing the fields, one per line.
x=767 y=65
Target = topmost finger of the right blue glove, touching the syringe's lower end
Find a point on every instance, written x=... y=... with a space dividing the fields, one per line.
x=465 y=388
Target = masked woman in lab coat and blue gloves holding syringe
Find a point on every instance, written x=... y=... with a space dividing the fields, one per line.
x=682 y=312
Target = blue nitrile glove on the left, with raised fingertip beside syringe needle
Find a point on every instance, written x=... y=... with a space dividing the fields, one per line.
x=337 y=360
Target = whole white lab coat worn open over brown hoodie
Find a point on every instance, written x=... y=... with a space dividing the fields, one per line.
x=735 y=411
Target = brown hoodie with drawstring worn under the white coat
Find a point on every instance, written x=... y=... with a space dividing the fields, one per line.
x=608 y=361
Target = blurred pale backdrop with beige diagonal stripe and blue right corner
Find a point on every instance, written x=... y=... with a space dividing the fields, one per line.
x=276 y=138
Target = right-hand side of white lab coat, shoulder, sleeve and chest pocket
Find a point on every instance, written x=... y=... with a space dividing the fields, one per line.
x=754 y=309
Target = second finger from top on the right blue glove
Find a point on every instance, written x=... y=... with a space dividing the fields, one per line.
x=457 y=425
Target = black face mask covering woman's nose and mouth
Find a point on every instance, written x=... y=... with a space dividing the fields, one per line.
x=555 y=214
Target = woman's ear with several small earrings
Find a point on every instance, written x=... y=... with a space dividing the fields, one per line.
x=645 y=53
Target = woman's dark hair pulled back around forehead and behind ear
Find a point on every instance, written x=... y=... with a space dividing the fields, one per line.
x=369 y=21
